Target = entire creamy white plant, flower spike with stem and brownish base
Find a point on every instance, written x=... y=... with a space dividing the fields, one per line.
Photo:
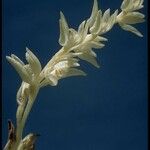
x=76 y=45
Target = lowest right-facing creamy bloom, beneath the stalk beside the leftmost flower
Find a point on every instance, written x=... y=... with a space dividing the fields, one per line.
x=64 y=67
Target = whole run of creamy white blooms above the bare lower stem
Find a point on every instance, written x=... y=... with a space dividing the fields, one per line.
x=76 y=45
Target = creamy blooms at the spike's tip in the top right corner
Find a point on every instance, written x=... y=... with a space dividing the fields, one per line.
x=129 y=15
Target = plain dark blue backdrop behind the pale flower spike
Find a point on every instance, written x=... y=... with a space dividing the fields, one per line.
x=106 y=110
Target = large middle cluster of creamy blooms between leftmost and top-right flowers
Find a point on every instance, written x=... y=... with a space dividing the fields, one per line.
x=78 y=45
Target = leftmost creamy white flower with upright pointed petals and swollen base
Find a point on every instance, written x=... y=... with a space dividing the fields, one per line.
x=29 y=74
